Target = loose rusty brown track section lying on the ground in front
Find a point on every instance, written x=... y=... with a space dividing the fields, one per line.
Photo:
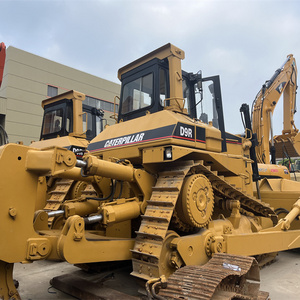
x=223 y=277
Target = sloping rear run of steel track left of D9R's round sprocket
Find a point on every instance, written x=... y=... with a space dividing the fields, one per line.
x=156 y=220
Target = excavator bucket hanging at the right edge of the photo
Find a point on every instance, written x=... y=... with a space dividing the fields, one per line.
x=287 y=145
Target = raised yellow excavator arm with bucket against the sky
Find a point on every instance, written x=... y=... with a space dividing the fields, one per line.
x=283 y=82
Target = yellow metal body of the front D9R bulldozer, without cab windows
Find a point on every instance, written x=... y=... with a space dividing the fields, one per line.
x=164 y=194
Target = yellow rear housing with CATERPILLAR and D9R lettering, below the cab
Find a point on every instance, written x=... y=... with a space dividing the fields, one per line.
x=125 y=147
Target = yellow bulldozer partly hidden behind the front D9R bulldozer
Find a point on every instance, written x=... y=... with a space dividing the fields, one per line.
x=68 y=122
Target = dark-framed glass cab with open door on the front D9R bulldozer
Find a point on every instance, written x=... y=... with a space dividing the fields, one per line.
x=146 y=89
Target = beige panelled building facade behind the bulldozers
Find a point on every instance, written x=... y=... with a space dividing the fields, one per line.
x=28 y=79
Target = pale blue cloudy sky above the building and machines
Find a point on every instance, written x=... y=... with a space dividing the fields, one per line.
x=243 y=41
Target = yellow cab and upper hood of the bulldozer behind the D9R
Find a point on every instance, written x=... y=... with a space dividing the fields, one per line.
x=69 y=123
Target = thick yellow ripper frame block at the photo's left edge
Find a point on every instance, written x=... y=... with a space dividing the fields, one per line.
x=26 y=165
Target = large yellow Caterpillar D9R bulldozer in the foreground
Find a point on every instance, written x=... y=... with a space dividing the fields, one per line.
x=173 y=189
